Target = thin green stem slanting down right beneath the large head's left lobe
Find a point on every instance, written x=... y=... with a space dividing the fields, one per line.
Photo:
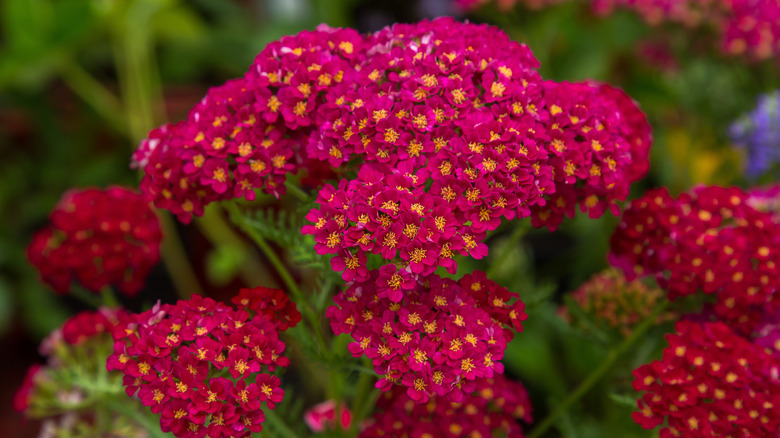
x=237 y=217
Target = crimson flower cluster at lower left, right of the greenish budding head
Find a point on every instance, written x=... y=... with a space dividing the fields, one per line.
x=174 y=358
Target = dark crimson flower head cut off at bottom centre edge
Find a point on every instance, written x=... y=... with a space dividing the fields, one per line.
x=491 y=411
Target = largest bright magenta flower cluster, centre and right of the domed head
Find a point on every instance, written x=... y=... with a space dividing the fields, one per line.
x=458 y=131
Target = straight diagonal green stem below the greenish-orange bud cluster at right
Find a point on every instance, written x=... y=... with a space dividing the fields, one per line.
x=599 y=372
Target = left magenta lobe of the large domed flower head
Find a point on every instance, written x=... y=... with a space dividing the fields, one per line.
x=250 y=132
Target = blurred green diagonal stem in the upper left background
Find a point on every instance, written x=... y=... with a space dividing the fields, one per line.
x=94 y=93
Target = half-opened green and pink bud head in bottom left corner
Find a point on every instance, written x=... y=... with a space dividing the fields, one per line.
x=67 y=391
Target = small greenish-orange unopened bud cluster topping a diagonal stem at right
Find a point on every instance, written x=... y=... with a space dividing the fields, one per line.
x=612 y=303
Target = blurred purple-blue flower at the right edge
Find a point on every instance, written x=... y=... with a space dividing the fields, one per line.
x=758 y=132
